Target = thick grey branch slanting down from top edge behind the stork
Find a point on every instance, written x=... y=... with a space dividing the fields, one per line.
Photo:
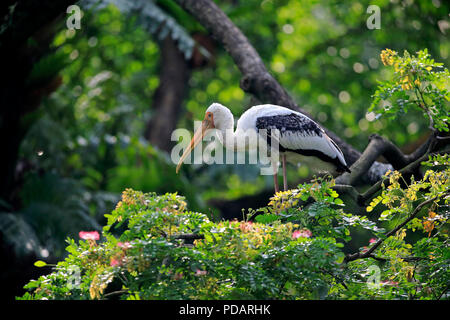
x=256 y=79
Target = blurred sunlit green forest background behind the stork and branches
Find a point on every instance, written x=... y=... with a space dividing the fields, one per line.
x=95 y=134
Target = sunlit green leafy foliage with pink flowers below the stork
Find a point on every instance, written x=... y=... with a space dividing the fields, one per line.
x=153 y=247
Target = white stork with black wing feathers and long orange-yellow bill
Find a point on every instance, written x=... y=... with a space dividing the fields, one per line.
x=300 y=139
